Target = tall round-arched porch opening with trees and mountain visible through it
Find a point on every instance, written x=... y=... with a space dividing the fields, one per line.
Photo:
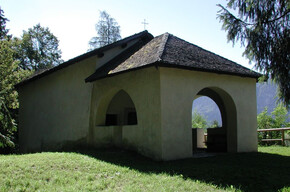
x=216 y=115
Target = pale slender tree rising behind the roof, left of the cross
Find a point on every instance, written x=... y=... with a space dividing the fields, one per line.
x=108 y=31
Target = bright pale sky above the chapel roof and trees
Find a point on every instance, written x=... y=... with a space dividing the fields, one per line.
x=73 y=21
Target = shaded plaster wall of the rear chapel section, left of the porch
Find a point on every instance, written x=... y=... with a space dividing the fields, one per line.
x=55 y=109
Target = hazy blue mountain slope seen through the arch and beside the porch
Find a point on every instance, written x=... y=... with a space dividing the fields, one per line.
x=266 y=97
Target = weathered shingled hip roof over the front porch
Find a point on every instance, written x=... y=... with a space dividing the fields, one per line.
x=169 y=51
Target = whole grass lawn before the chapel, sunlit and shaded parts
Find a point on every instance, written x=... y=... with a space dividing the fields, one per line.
x=115 y=170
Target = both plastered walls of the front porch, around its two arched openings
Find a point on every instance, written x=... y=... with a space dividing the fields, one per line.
x=163 y=100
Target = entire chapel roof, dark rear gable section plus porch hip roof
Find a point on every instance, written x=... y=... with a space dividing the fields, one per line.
x=165 y=50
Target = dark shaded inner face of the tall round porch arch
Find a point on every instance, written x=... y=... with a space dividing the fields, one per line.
x=228 y=112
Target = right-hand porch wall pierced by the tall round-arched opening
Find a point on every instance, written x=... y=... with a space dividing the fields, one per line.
x=178 y=89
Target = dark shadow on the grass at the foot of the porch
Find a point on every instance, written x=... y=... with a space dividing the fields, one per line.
x=246 y=171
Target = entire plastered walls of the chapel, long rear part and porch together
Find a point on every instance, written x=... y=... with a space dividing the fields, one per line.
x=61 y=107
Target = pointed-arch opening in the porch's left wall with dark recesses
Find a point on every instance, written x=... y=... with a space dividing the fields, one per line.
x=121 y=110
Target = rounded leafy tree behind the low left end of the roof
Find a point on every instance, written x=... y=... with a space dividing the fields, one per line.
x=38 y=49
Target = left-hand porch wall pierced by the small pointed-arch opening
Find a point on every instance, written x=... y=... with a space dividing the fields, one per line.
x=143 y=87
